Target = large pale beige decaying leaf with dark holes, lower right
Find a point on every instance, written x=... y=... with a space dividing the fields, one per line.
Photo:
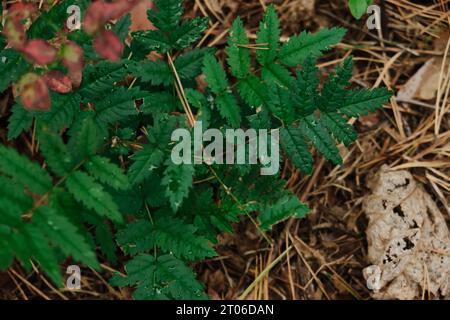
x=409 y=241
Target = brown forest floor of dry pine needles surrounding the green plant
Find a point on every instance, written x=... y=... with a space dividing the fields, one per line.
x=322 y=256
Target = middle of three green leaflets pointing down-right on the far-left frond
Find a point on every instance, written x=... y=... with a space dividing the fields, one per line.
x=92 y=195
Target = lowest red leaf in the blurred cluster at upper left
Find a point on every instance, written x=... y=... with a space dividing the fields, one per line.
x=34 y=92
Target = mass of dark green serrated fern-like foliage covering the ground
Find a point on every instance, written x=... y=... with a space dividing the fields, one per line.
x=99 y=176
